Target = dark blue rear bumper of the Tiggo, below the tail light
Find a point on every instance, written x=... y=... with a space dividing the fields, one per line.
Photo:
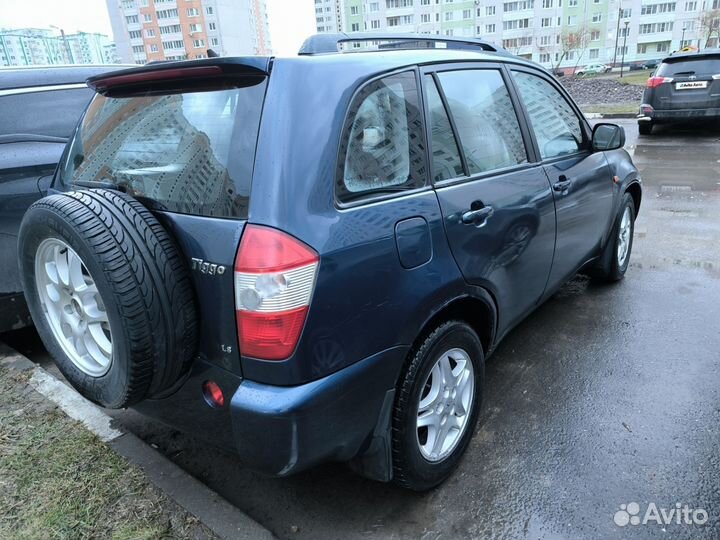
x=283 y=430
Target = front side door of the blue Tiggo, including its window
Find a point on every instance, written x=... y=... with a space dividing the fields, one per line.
x=581 y=180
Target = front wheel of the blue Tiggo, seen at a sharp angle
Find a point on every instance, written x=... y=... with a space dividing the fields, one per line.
x=615 y=259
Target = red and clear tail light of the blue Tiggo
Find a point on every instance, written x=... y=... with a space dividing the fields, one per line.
x=274 y=282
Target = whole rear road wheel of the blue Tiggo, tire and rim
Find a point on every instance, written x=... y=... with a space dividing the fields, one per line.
x=441 y=387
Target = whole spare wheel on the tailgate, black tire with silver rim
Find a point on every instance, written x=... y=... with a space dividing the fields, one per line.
x=109 y=293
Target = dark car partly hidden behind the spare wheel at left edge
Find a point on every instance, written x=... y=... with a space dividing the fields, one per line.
x=39 y=108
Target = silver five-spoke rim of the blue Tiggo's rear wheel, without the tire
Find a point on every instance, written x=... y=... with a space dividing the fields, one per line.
x=445 y=404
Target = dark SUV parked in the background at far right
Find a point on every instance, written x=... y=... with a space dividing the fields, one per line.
x=685 y=86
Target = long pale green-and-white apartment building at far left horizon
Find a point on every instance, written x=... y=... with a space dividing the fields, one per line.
x=38 y=46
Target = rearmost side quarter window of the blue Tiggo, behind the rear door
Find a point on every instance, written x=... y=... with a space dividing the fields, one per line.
x=382 y=147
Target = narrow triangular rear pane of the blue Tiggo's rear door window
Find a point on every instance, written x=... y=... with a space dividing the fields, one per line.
x=445 y=153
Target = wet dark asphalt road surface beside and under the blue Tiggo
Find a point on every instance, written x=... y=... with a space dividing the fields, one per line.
x=605 y=396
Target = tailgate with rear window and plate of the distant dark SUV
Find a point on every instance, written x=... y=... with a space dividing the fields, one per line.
x=695 y=83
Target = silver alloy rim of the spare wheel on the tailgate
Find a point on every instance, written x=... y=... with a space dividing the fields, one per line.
x=73 y=308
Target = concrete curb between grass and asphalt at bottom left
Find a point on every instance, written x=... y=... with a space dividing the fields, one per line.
x=217 y=514
